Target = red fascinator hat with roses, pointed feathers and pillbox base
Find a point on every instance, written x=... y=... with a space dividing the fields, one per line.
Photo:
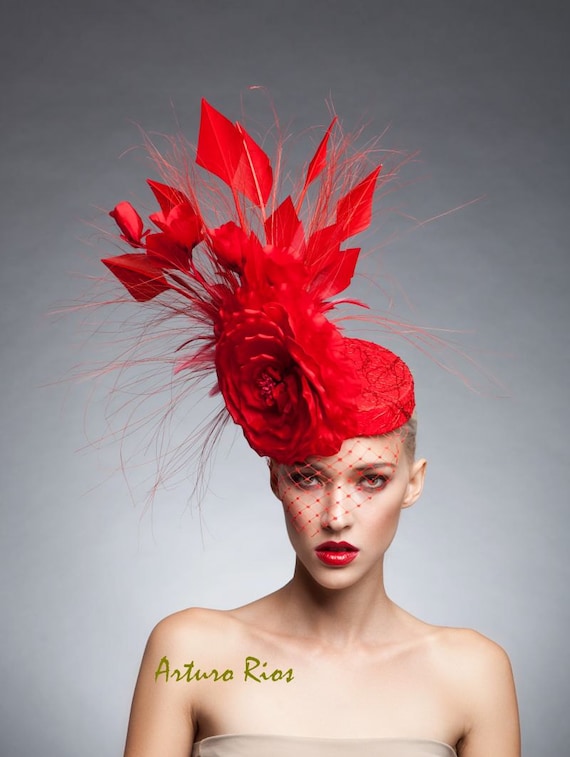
x=259 y=289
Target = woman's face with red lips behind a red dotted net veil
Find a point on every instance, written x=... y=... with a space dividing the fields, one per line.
x=342 y=511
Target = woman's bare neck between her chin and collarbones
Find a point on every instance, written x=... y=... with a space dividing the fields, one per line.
x=338 y=616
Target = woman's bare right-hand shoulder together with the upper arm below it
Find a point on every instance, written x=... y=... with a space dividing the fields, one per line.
x=480 y=676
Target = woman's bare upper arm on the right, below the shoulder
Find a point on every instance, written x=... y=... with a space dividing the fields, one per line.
x=492 y=722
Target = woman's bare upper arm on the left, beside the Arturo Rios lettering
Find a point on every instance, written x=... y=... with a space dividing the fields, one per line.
x=161 y=720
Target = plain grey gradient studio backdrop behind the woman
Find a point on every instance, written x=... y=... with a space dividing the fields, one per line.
x=481 y=89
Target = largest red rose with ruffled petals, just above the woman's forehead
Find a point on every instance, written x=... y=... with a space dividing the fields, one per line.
x=290 y=395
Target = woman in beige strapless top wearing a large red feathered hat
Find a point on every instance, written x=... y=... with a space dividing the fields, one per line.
x=328 y=664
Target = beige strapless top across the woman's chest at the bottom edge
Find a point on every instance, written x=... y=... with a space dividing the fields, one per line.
x=260 y=745
